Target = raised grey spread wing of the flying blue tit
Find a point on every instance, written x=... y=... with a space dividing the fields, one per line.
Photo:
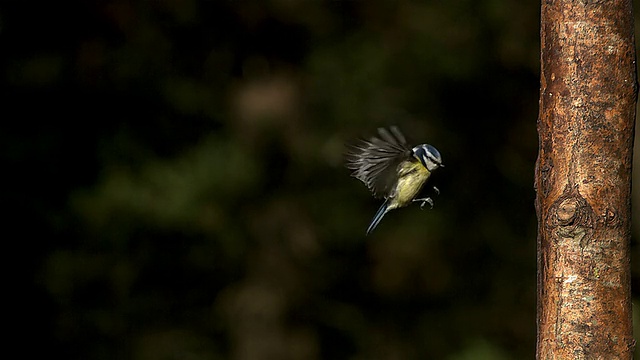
x=374 y=161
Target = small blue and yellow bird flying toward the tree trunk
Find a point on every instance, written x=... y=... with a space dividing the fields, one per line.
x=393 y=170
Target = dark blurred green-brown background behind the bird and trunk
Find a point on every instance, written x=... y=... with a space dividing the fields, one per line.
x=175 y=186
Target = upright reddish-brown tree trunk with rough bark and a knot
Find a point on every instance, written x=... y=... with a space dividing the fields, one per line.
x=583 y=179
